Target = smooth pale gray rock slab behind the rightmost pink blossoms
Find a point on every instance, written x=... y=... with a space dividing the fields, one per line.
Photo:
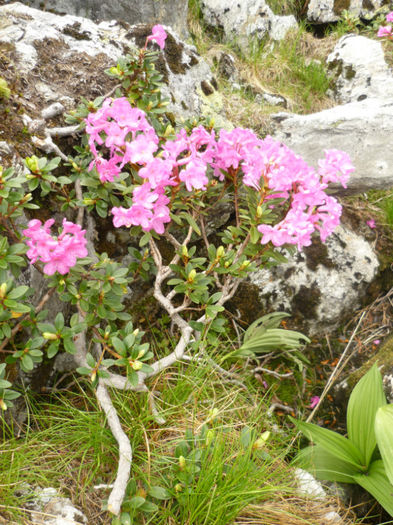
x=362 y=129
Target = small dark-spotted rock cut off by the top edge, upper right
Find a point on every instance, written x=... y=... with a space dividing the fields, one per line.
x=323 y=11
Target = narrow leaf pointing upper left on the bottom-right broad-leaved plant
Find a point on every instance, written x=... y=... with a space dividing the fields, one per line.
x=337 y=445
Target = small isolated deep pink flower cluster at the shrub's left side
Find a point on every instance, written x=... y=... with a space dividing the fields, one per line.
x=58 y=253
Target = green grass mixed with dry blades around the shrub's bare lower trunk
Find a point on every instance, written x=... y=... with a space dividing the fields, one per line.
x=67 y=445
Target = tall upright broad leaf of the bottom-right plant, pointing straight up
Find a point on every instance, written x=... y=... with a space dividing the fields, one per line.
x=366 y=398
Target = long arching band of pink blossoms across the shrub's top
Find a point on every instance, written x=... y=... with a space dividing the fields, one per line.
x=194 y=160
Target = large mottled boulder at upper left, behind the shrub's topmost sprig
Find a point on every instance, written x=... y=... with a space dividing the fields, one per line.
x=64 y=57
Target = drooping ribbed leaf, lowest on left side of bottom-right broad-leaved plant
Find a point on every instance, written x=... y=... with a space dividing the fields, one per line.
x=325 y=466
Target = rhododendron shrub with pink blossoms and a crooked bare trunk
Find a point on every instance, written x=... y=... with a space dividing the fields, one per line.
x=202 y=209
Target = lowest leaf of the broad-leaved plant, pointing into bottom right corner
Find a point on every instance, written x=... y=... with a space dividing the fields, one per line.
x=376 y=482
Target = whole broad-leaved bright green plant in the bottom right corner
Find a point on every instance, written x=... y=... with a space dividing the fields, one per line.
x=364 y=457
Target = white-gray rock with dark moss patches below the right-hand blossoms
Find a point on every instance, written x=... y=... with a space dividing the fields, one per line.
x=322 y=285
